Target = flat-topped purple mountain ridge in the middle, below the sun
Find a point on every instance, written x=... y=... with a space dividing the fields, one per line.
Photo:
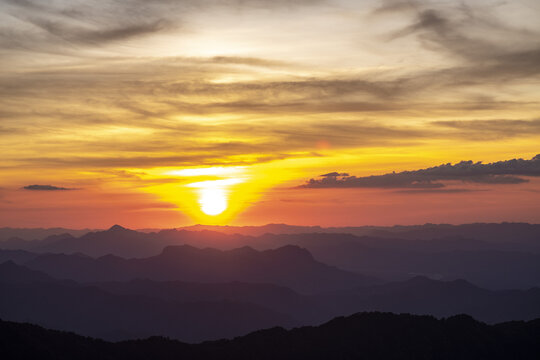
x=289 y=266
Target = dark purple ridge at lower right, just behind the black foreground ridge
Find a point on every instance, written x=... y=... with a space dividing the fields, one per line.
x=421 y=295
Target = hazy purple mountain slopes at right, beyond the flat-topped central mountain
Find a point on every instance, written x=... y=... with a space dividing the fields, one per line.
x=393 y=259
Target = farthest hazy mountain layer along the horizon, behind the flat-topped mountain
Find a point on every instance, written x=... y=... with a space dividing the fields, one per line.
x=514 y=263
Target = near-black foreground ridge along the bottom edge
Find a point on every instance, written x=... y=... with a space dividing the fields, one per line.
x=360 y=336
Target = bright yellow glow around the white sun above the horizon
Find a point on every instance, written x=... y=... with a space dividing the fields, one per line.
x=216 y=195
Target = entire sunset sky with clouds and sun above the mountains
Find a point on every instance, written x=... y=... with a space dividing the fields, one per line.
x=175 y=112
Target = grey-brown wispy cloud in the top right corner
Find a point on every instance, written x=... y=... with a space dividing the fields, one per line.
x=489 y=48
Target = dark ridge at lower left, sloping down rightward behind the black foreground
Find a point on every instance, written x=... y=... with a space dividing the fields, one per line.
x=32 y=296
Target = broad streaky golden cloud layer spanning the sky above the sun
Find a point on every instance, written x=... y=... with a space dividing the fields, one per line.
x=244 y=109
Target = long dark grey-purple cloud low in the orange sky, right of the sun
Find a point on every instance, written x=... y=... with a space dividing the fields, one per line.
x=501 y=172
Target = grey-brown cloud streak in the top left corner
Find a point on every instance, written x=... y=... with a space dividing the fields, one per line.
x=67 y=26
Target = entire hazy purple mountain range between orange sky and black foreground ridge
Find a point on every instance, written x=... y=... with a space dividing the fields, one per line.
x=198 y=284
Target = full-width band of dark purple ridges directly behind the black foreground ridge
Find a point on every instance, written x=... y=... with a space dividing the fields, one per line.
x=204 y=311
